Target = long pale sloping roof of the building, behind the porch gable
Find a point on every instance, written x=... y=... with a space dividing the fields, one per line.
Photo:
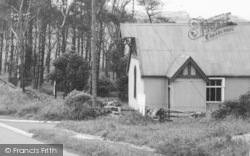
x=160 y=44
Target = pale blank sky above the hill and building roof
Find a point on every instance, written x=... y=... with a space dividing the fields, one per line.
x=209 y=8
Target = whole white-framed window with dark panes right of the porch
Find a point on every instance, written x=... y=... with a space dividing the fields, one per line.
x=215 y=90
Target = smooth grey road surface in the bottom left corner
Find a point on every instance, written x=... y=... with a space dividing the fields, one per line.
x=9 y=137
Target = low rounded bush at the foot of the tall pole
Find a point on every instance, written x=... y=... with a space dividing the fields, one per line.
x=78 y=106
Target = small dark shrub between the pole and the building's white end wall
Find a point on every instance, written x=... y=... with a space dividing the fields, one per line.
x=105 y=86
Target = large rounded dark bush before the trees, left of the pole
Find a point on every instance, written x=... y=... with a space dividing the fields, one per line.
x=71 y=70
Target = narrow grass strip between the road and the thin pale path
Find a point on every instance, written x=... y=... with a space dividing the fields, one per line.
x=87 y=147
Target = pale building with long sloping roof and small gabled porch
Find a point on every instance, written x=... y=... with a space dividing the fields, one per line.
x=182 y=68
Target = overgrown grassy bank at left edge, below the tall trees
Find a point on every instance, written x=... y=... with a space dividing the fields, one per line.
x=32 y=104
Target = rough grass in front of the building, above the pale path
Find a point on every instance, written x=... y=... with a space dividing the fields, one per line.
x=183 y=137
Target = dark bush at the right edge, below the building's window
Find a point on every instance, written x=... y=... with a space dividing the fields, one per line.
x=239 y=108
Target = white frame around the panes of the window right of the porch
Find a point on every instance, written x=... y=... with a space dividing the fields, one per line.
x=222 y=89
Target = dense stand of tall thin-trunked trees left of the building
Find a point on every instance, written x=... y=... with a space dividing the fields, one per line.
x=35 y=32
